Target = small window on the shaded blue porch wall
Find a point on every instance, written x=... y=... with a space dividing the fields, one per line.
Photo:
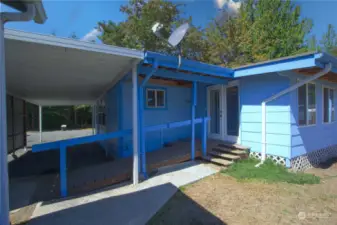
x=155 y=98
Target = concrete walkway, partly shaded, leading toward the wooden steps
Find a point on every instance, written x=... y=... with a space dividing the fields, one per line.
x=130 y=205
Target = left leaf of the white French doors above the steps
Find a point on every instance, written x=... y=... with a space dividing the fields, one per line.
x=215 y=104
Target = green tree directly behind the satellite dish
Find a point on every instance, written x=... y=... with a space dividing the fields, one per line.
x=136 y=31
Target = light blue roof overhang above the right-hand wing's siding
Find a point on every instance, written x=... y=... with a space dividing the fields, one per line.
x=308 y=63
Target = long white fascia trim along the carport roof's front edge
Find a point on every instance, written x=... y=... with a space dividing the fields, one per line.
x=71 y=43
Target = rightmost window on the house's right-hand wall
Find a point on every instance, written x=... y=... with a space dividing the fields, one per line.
x=328 y=105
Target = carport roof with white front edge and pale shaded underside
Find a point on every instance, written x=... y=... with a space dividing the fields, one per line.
x=48 y=70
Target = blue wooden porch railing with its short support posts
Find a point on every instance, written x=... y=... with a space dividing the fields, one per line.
x=63 y=144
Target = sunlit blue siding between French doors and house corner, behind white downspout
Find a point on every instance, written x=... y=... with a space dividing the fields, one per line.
x=253 y=90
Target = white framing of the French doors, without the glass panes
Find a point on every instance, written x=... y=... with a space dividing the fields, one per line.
x=223 y=112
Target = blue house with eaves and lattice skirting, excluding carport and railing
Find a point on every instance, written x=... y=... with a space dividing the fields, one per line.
x=297 y=128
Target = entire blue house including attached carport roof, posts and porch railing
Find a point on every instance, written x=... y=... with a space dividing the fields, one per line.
x=145 y=103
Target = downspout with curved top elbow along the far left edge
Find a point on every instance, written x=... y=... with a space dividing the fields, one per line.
x=4 y=192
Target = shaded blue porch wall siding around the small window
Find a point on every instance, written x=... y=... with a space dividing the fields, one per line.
x=178 y=109
